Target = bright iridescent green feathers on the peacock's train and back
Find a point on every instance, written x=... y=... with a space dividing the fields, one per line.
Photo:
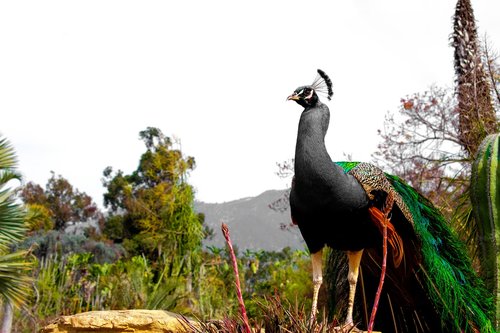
x=445 y=269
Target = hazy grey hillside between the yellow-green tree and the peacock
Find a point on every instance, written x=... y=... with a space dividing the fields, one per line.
x=252 y=224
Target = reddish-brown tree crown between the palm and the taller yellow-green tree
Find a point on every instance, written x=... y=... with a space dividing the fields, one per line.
x=62 y=202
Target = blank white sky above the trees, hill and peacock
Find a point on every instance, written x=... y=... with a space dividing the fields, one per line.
x=80 y=79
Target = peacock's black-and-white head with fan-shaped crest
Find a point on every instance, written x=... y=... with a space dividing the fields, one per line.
x=307 y=96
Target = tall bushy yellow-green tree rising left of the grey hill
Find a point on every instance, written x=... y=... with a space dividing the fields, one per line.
x=151 y=210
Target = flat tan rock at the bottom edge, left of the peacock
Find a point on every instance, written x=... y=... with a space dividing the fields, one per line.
x=136 y=321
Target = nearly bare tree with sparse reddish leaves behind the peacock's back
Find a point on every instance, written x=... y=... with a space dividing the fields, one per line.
x=421 y=144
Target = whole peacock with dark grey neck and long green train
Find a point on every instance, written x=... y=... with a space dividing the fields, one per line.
x=430 y=285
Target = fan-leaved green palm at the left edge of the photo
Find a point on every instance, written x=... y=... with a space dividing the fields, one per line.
x=14 y=266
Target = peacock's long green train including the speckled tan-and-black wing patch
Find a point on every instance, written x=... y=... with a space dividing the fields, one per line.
x=439 y=260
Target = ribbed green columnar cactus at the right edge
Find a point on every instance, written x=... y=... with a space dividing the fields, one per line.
x=485 y=197
